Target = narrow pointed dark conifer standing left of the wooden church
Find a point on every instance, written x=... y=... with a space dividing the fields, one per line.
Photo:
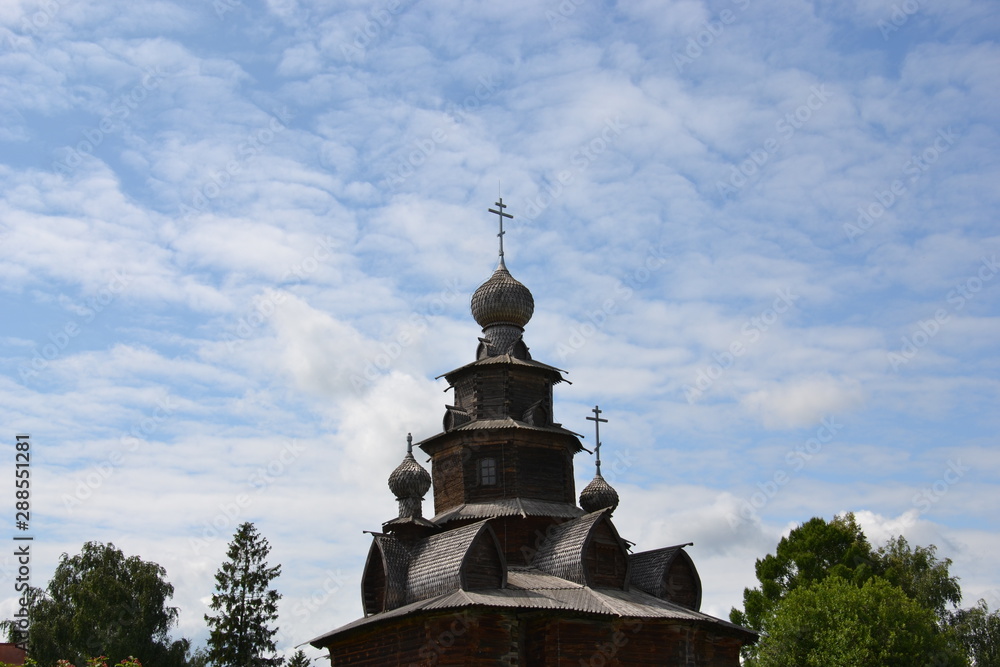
x=239 y=633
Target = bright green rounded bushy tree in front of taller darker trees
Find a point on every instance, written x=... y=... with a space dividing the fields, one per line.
x=836 y=623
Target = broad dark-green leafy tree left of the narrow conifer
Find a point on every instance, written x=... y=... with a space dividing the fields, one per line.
x=101 y=603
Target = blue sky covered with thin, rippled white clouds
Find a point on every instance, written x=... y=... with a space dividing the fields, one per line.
x=239 y=240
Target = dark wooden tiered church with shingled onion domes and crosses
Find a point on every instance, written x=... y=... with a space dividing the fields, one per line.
x=510 y=570
